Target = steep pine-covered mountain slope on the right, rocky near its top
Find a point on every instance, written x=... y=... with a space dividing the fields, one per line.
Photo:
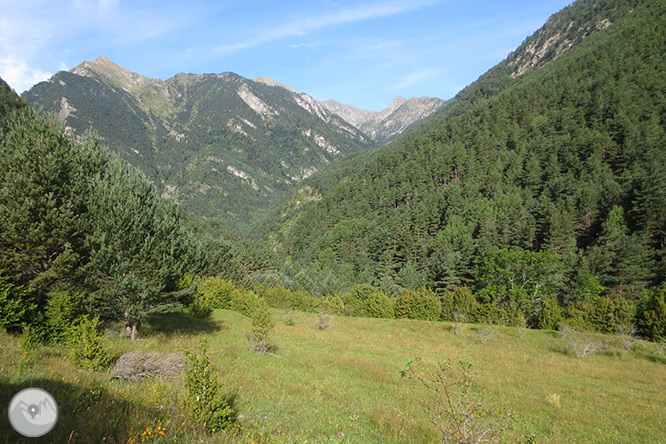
x=548 y=156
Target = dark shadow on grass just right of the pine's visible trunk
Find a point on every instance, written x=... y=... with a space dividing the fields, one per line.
x=178 y=323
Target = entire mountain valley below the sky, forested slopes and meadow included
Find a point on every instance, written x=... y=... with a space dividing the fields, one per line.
x=489 y=267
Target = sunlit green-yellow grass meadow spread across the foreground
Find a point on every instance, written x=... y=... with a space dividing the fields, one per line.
x=344 y=385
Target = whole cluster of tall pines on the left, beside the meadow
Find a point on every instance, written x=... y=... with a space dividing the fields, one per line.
x=82 y=232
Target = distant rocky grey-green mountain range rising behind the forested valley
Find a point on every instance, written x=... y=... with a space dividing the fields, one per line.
x=219 y=144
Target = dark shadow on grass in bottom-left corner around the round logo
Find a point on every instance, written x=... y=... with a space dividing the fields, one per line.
x=86 y=413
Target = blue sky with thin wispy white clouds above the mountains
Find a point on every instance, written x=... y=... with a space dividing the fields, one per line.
x=363 y=53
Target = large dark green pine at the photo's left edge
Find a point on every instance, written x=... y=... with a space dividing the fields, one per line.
x=44 y=201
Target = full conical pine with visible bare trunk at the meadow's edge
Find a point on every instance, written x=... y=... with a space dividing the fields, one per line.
x=140 y=249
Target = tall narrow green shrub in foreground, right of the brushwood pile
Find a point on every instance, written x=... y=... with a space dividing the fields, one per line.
x=204 y=403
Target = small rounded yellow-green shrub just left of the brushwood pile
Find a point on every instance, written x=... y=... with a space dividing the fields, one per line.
x=86 y=344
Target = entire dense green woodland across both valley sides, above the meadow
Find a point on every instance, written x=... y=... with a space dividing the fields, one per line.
x=532 y=199
